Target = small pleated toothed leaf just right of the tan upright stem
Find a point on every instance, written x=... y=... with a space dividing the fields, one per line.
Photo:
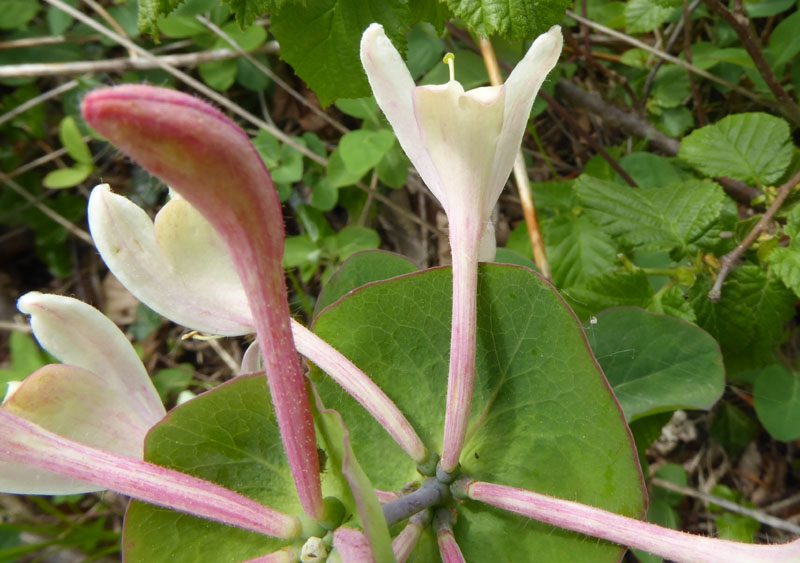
x=577 y=250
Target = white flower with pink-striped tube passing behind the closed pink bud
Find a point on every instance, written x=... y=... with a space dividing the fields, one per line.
x=178 y=266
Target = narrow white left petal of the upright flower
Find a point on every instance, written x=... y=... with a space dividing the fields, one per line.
x=392 y=85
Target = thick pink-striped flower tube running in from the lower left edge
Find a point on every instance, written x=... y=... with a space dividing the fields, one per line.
x=27 y=443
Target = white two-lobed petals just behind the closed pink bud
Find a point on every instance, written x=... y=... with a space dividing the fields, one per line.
x=180 y=267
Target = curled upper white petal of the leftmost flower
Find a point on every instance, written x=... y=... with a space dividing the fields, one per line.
x=80 y=335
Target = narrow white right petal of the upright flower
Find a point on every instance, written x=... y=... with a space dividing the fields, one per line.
x=521 y=89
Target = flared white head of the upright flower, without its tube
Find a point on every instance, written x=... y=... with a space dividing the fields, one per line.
x=463 y=144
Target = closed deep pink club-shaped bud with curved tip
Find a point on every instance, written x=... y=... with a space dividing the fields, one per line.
x=210 y=161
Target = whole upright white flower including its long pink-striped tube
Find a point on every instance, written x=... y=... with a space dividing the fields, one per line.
x=463 y=144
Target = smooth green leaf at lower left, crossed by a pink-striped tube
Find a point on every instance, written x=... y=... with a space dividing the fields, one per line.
x=228 y=436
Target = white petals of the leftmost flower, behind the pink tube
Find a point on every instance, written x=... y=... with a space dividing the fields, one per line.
x=101 y=396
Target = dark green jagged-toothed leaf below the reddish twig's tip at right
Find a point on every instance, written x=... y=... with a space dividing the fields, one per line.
x=748 y=319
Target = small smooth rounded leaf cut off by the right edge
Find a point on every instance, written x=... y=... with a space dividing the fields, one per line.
x=777 y=400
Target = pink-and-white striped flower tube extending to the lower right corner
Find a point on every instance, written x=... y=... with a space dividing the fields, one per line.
x=595 y=522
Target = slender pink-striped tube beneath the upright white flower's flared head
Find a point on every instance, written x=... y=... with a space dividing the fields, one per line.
x=464 y=247
